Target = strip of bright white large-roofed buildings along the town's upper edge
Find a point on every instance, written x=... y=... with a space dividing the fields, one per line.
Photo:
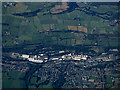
x=64 y=55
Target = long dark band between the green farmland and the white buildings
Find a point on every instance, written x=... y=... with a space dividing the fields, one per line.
x=77 y=48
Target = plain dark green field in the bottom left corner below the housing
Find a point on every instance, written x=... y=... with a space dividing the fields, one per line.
x=13 y=79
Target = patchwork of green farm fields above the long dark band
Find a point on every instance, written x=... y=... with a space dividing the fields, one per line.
x=23 y=30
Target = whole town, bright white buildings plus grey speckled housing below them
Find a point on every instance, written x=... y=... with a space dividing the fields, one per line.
x=78 y=70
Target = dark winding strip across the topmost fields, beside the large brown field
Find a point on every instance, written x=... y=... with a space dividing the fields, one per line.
x=72 y=6
